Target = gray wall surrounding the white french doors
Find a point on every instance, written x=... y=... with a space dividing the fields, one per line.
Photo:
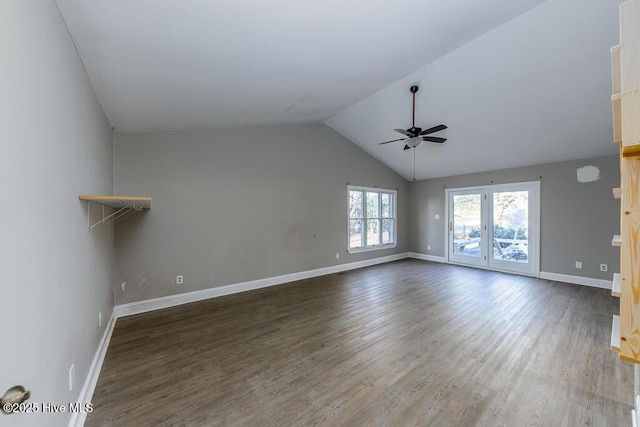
x=577 y=220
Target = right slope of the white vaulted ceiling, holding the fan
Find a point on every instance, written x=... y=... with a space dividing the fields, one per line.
x=535 y=90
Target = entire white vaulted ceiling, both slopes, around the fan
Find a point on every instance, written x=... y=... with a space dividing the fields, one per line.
x=514 y=90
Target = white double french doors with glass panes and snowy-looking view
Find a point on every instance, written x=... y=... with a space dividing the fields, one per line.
x=495 y=227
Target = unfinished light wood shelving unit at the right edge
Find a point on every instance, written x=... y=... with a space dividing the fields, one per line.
x=625 y=68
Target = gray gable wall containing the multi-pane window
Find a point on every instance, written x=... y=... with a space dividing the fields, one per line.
x=234 y=205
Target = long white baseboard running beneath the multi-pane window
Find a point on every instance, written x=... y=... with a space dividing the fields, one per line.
x=187 y=297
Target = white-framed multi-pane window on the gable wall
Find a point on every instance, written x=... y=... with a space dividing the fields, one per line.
x=372 y=219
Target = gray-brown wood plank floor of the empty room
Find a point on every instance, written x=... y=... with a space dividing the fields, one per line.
x=400 y=344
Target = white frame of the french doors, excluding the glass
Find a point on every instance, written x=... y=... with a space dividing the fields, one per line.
x=534 y=224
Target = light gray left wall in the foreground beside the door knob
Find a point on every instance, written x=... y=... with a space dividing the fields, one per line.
x=56 y=144
